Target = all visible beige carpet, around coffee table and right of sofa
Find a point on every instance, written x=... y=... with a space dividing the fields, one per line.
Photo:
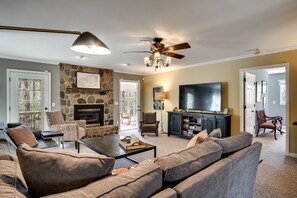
x=277 y=174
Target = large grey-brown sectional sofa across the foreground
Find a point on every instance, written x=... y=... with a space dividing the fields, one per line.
x=216 y=168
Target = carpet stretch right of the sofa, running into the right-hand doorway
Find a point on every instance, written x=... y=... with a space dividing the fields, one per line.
x=277 y=174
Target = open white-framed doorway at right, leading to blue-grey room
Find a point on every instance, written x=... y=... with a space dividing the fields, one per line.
x=271 y=95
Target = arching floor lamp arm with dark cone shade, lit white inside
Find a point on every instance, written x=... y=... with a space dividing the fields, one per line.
x=85 y=43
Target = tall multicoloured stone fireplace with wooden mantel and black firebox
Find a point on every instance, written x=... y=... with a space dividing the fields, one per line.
x=72 y=97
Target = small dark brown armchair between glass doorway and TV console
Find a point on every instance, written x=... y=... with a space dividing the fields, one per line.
x=149 y=123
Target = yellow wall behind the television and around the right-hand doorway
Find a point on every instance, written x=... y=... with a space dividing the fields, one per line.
x=227 y=73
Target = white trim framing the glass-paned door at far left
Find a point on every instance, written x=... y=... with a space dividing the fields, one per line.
x=8 y=91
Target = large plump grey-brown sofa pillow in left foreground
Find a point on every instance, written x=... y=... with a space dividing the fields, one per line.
x=47 y=172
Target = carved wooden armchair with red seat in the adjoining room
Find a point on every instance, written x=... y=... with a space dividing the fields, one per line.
x=266 y=122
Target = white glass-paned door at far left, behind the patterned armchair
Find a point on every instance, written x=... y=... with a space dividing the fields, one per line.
x=28 y=98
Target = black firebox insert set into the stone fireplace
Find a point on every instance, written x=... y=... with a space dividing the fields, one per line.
x=92 y=113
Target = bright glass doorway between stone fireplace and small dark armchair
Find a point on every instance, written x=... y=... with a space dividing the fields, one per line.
x=129 y=102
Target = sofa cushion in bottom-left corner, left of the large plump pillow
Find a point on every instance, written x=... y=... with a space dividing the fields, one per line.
x=12 y=183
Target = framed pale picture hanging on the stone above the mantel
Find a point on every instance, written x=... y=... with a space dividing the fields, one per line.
x=87 y=80
